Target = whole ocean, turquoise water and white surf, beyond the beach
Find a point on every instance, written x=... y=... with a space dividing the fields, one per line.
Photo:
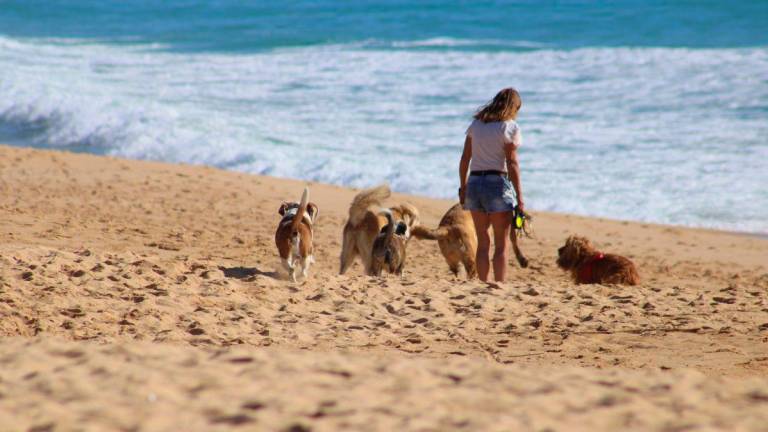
x=651 y=110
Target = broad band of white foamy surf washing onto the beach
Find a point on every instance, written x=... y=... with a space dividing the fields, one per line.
x=666 y=135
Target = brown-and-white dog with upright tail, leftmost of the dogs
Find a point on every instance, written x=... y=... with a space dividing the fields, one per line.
x=294 y=236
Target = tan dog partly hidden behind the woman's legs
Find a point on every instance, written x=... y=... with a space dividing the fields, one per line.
x=457 y=239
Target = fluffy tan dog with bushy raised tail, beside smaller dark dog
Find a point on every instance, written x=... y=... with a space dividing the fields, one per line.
x=364 y=225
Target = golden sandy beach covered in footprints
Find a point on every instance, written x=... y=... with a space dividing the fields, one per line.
x=143 y=296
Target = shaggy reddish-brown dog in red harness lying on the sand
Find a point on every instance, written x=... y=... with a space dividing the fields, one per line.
x=588 y=265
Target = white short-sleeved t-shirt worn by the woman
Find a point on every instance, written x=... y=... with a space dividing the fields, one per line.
x=488 y=141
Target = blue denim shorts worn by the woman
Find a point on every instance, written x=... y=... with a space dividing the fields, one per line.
x=490 y=194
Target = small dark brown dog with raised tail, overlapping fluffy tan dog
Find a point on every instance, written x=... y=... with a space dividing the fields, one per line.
x=389 y=247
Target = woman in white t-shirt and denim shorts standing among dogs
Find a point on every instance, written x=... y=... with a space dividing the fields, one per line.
x=494 y=181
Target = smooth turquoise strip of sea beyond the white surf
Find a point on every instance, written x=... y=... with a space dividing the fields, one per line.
x=236 y=27
